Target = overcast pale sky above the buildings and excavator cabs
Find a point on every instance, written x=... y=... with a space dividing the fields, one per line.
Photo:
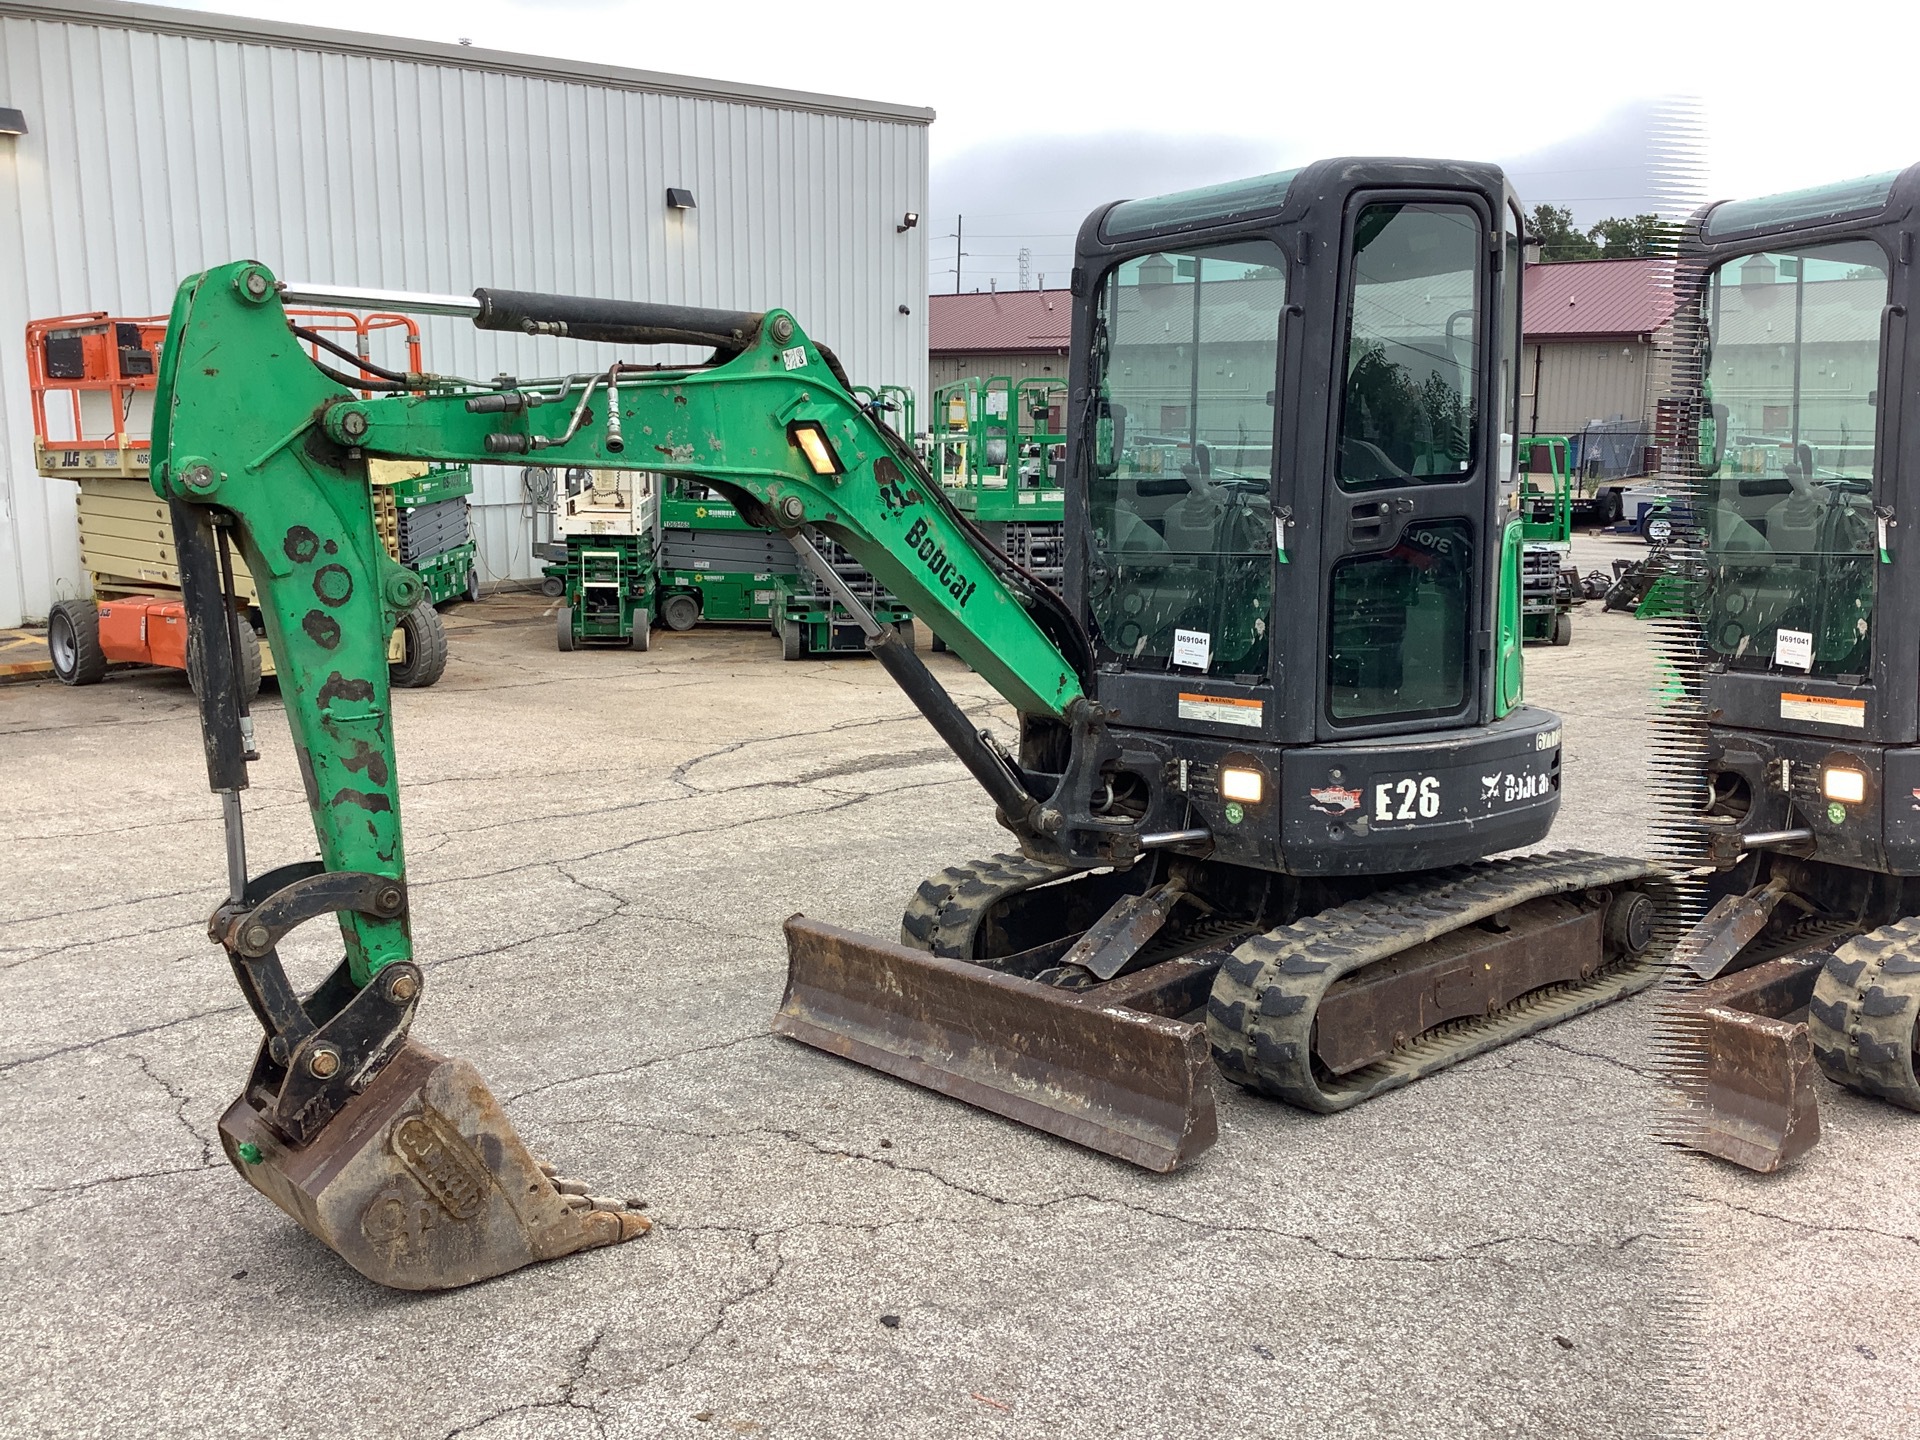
x=1051 y=110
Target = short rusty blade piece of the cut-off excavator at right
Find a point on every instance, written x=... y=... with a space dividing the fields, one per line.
x=1760 y=1105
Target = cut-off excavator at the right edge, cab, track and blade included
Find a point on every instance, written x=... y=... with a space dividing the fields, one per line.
x=1802 y=460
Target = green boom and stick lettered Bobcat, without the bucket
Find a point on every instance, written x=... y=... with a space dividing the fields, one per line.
x=258 y=444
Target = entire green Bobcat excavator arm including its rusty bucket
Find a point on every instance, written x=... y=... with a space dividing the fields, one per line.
x=391 y=1155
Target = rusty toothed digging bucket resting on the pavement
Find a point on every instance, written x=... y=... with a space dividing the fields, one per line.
x=421 y=1182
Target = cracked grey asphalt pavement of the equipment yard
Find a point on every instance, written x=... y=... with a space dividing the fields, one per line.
x=602 y=852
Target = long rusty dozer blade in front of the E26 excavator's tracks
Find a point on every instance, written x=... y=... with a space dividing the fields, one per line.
x=1116 y=1080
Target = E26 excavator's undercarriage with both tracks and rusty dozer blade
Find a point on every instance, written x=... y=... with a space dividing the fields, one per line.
x=1092 y=1005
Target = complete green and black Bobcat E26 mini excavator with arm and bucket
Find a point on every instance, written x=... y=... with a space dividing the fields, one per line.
x=1268 y=734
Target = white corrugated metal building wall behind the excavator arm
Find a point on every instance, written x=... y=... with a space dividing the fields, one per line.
x=162 y=141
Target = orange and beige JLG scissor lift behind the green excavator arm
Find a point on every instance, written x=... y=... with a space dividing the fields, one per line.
x=93 y=385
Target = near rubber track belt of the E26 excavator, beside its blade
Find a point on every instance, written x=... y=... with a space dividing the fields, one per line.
x=1260 y=1017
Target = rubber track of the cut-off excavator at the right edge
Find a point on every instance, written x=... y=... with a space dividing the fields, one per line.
x=1863 y=1013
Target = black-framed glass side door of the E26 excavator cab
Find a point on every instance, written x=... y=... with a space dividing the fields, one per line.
x=1410 y=535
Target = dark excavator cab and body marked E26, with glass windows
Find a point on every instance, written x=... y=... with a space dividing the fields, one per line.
x=1291 y=516
